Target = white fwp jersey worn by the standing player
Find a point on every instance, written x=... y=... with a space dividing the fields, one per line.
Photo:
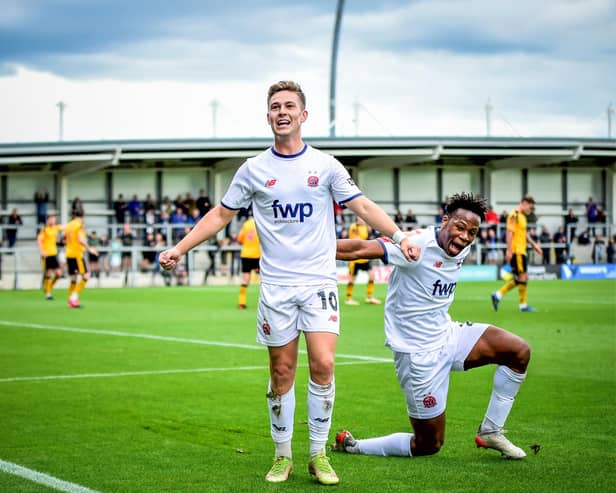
x=292 y=201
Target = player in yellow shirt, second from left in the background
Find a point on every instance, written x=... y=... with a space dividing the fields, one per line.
x=76 y=245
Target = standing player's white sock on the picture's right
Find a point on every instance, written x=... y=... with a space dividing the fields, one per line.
x=320 y=409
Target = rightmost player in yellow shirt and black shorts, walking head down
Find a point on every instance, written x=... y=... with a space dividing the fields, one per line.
x=515 y=255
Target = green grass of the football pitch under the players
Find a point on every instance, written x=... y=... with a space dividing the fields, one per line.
x=208 y=430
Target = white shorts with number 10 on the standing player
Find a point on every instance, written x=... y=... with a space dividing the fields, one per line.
x=285 y=311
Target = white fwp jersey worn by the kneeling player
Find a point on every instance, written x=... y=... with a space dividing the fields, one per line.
x=420 y=293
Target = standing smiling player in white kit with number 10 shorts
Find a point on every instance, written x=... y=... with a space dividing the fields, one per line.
x=292 y=187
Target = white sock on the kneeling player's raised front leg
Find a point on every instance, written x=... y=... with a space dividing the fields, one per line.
x=506 y=386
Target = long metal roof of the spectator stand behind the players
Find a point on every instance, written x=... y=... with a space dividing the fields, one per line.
x=79 y=157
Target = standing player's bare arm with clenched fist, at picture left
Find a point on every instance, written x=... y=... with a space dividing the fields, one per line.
x=208 y=226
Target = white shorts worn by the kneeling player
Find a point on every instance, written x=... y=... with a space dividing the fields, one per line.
x=424 y=376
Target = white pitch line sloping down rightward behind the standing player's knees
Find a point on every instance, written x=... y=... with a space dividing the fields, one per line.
x=116 y=333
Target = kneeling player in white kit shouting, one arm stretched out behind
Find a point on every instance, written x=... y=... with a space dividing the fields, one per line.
x=427 y=345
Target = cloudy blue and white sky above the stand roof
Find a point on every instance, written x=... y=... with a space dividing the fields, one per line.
x=152 y=69
